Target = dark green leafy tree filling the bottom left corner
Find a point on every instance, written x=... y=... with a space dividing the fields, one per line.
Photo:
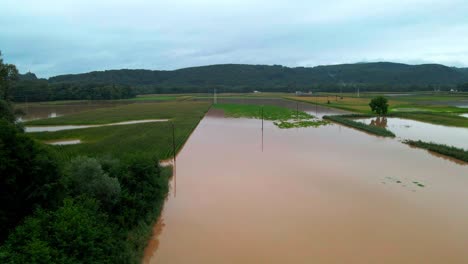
x=77 y=232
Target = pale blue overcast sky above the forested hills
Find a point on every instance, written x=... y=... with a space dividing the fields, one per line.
x=51 y=37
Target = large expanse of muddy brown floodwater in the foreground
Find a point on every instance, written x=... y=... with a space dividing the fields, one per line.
x=309 y=195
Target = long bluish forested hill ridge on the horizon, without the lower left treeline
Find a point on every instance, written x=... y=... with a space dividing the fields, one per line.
x=238 y=76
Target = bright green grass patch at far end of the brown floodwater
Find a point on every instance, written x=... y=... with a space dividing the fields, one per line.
x=283 y=117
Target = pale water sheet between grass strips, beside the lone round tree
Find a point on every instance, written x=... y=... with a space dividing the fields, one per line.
x=415 y=130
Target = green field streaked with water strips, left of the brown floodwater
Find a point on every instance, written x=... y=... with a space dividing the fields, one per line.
x=152 y=138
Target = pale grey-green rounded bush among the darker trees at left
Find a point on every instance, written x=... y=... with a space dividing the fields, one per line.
x=85 y=176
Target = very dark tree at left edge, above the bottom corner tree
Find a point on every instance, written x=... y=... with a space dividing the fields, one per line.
x=29 y=176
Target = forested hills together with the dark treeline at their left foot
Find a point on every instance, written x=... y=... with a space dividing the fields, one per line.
x=119 y=84
